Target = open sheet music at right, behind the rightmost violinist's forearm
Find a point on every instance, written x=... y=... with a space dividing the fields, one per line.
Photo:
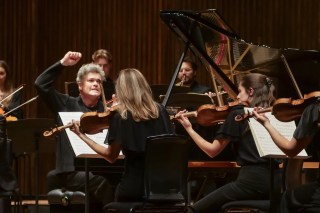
x=265 y=145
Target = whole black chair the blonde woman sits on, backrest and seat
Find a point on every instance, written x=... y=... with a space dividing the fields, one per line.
x=165 y=185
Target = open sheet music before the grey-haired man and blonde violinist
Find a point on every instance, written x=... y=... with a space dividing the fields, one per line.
x=80 y=148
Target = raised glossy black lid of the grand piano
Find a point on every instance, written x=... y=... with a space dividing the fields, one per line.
x=227 y=56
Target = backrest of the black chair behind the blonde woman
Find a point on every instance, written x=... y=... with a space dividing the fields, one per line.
x=166 y=166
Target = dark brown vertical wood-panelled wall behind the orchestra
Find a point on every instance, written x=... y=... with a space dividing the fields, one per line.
x=37 y=33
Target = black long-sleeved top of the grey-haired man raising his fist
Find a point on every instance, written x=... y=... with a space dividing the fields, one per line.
x=59 y=102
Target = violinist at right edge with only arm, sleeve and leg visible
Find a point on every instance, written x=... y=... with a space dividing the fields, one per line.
x=305 y=198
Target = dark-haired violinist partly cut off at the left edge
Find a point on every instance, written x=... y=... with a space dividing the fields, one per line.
x=6 y=89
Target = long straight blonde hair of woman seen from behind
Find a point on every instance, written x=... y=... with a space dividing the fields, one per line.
x=134 y=95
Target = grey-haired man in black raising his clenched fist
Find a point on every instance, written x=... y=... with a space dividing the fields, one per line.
x=88 y=79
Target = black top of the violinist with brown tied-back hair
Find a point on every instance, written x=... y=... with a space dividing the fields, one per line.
x=241 y=138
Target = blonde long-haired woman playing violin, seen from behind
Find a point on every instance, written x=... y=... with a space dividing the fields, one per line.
x=137 y=117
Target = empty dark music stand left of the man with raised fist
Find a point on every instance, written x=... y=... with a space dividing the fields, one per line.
x=26 y=135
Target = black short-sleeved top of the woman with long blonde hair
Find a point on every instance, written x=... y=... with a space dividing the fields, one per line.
x=132 y=135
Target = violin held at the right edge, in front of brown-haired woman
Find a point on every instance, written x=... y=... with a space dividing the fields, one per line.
x=286 y=109
